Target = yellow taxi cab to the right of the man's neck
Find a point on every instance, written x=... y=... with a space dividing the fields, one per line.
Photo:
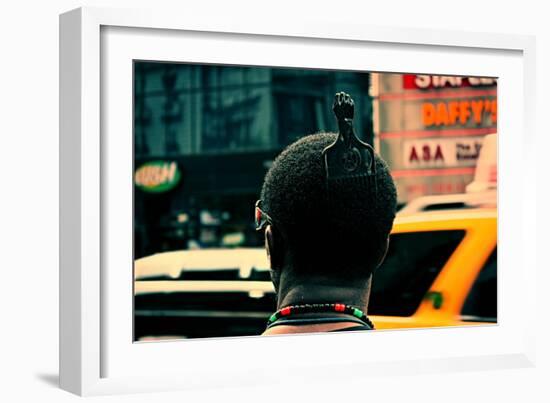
x=440 y=271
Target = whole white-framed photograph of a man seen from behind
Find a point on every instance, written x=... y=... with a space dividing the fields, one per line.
x=205 y=243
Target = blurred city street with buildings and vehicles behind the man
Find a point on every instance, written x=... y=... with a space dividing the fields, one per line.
x=204 y=137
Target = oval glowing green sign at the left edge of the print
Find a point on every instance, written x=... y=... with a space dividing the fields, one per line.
x=157 y=176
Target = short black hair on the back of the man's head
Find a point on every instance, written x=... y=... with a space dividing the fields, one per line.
x=345 y=239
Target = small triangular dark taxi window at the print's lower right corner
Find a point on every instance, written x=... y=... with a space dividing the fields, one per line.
x=481 y=303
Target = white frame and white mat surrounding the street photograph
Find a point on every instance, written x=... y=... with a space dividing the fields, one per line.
x=97 y=357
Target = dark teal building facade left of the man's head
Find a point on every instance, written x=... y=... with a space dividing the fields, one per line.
x=205 y=135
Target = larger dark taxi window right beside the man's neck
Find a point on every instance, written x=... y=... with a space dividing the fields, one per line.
x=413 y=262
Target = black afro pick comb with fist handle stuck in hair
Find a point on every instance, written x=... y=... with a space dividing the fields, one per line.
x=349 y=162
